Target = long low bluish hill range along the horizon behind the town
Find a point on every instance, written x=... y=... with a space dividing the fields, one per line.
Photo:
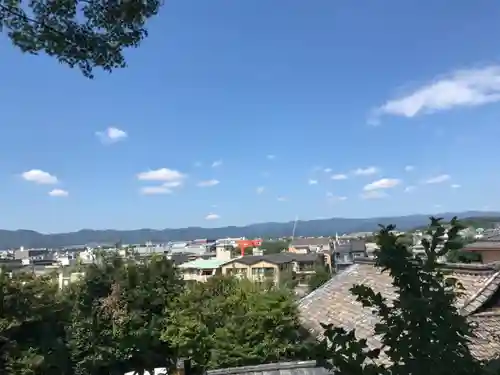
x=325 y=227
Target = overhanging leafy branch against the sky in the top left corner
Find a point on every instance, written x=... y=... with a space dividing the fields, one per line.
x=87 y=34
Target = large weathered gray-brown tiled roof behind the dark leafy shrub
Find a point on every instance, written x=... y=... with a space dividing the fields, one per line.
x=333 y=303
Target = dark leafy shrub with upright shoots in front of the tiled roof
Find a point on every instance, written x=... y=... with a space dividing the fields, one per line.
x=421 y=331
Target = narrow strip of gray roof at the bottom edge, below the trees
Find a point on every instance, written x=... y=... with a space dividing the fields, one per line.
x=282 y=368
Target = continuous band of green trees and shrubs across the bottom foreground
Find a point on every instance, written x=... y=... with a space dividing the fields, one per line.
x=126 y=315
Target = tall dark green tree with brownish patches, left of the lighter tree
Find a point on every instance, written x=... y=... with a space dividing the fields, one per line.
x=116 y=316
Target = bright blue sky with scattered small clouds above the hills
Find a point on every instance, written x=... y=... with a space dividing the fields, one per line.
x=329 y=88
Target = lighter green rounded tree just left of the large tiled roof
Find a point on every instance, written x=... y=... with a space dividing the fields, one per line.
x=228 y=322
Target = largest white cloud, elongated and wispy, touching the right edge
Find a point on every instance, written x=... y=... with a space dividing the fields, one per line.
x=462 y=88
